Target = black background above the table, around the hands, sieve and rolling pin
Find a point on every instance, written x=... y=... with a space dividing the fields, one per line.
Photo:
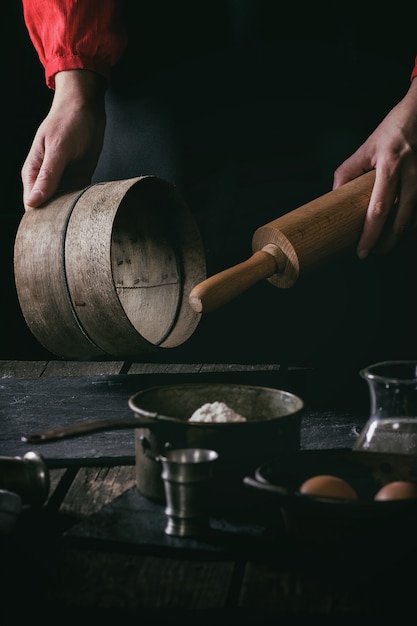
x=222 y=80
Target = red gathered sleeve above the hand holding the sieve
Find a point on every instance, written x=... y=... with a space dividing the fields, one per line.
x=76 y=34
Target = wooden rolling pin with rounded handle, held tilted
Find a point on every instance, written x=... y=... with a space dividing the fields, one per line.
x=293 y=244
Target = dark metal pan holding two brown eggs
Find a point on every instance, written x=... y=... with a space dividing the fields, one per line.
x=315 y=518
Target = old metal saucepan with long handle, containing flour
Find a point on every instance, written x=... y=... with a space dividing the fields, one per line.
x=160 y=418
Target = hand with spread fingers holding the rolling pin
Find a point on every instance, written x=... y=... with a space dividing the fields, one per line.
x=392 y=151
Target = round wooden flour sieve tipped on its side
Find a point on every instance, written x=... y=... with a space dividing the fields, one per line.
x=106 y=271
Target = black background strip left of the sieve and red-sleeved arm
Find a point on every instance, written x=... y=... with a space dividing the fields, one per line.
x=25 y=101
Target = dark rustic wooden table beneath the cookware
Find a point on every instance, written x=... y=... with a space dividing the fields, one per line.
x=97 y=547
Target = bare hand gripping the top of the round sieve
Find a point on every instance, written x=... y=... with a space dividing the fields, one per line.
x=68 y=143
